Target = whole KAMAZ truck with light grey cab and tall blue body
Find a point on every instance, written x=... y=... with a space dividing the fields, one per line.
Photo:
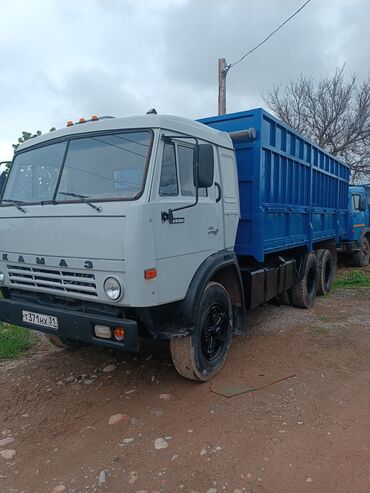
x=157 y=226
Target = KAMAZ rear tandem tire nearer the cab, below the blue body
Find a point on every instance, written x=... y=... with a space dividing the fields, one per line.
x=304 y=292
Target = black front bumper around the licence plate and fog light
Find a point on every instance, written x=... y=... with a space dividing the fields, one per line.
x=71 y=324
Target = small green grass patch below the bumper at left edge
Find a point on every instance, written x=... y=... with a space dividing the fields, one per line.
x=14 y=341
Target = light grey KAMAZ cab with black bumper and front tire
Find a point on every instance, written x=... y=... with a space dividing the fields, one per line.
x=106 y=227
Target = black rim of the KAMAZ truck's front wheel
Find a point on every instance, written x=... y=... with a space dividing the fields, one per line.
x=214 y=331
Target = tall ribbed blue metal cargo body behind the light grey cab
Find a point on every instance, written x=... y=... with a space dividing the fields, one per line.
x=292 y=193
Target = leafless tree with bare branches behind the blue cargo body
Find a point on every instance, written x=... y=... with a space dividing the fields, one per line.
x=332 y=111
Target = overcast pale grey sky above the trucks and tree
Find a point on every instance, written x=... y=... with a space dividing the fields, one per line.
x=63 y=59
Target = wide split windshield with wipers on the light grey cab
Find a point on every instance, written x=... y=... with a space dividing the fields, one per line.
x=101 y=167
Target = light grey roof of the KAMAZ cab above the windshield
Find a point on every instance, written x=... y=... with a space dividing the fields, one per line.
x=166 y=122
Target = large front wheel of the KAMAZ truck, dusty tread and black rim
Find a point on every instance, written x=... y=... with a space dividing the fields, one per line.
x=201 y=355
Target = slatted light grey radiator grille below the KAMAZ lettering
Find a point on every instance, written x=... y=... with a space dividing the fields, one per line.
x=52 y=280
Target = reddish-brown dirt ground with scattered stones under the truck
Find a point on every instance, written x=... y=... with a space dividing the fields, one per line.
x=307 y=433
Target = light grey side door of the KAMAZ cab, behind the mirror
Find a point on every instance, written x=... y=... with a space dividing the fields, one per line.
x=197 y=233
